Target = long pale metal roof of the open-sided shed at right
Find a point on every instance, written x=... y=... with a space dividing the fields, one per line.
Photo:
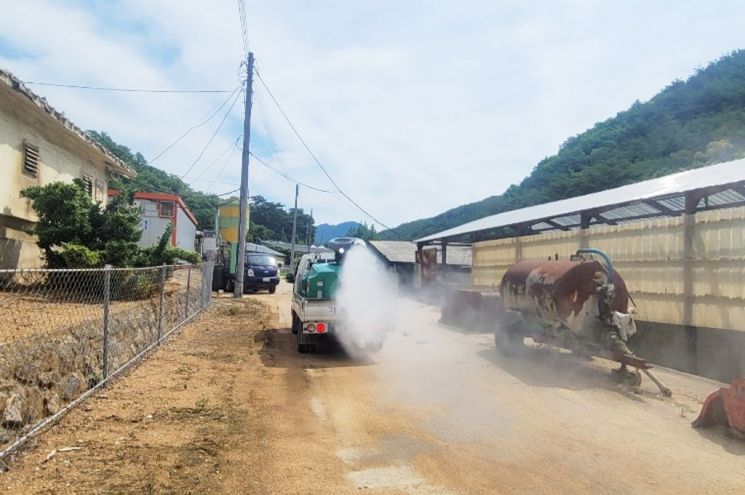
x=670 y=185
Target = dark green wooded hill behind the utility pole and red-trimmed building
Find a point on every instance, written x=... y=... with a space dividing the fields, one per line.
x=268 y=221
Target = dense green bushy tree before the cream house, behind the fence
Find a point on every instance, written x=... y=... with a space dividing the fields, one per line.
x=74 y=232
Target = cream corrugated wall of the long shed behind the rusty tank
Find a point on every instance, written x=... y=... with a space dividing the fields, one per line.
x=651 y=257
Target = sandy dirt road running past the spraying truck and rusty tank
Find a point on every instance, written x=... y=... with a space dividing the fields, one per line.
x=228 y=406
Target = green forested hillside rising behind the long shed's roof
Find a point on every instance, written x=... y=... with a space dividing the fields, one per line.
x=688 y=124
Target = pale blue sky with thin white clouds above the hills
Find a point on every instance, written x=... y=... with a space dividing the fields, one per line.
x=414 y=107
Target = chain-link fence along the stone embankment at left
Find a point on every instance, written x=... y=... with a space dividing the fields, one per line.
x=65 y=333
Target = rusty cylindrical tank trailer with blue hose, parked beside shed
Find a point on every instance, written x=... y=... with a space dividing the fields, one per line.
x=581 y=304
